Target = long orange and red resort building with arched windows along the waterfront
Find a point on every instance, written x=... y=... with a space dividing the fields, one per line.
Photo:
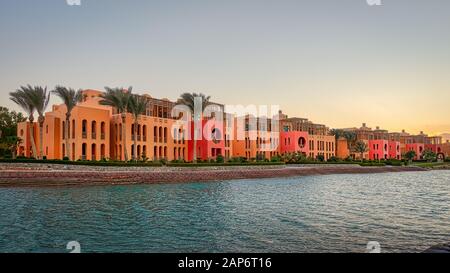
x=98 y=132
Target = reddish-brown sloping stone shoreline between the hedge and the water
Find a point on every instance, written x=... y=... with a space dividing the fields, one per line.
x=48 y=175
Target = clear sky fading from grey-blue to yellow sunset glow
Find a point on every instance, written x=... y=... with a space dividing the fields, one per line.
x=339 y=63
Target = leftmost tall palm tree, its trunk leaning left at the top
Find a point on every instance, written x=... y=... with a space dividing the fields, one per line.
x=22 y=98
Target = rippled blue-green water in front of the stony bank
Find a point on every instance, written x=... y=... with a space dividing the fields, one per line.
x=404 y=212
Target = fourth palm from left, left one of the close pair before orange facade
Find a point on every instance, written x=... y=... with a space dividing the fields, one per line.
x=119 y=98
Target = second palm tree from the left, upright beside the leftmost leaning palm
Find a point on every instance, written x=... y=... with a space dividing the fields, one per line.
x=40 y=99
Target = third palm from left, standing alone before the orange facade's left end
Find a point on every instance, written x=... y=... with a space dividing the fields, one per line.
x=70 y=98
